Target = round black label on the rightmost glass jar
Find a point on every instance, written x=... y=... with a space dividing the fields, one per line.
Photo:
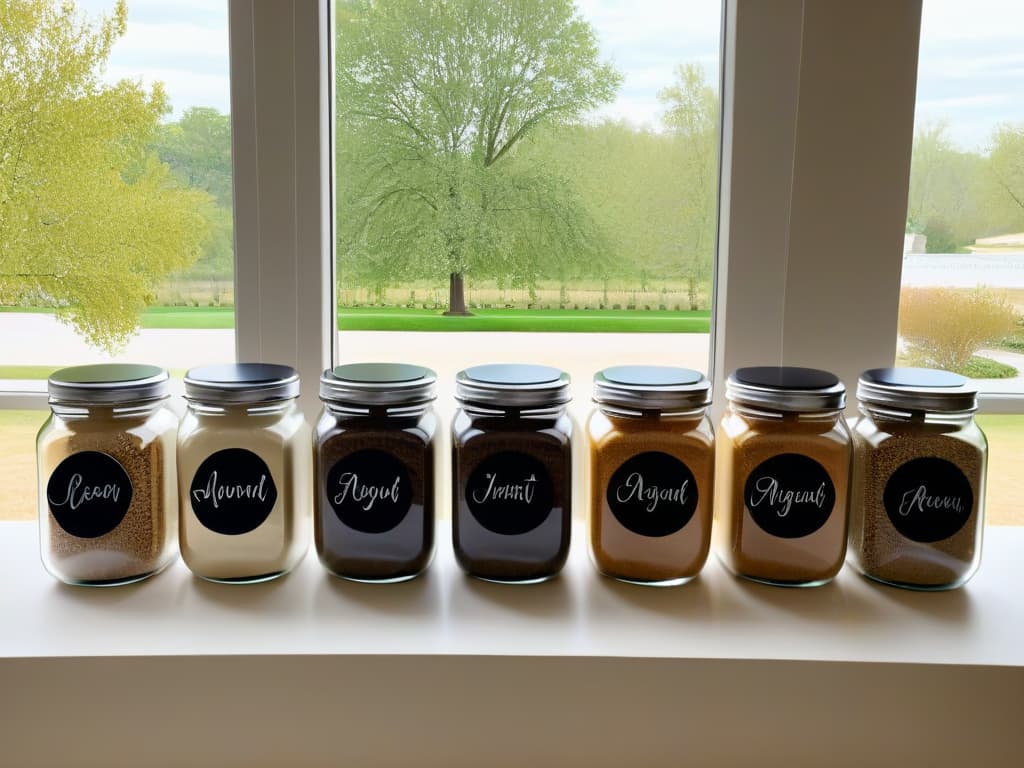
x=928 y=499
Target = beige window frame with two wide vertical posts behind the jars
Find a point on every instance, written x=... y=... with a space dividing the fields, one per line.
x=787 y=84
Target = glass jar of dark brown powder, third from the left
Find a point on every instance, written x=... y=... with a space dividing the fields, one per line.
x=375 y=449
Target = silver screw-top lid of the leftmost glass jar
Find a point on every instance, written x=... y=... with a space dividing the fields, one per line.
x=108 y=385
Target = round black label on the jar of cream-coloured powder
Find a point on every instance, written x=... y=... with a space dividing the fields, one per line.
x=233 y=492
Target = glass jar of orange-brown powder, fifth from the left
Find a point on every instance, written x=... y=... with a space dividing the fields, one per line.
x=651 y=474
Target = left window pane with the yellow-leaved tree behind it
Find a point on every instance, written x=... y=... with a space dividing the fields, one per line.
x=116 y=236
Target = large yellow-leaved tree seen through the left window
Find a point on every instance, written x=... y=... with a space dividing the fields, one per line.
x=91 y=221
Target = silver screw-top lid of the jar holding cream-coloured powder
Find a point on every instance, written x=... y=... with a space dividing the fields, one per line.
x=242 y=383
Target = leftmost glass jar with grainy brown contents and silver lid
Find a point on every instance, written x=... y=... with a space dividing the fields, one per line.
x=108 y=502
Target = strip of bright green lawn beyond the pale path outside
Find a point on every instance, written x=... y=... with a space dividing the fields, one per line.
x=400 y=319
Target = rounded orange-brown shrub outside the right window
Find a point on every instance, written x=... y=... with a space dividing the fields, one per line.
x=945 y=327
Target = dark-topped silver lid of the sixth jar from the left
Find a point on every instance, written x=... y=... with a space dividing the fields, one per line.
x=786 y=389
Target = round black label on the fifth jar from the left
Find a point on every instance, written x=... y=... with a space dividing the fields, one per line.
x=653 y=494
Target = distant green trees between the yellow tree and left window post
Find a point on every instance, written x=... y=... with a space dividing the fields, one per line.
x=198 y=149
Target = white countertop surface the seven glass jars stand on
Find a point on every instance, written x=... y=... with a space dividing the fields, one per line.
x=578 y=615
